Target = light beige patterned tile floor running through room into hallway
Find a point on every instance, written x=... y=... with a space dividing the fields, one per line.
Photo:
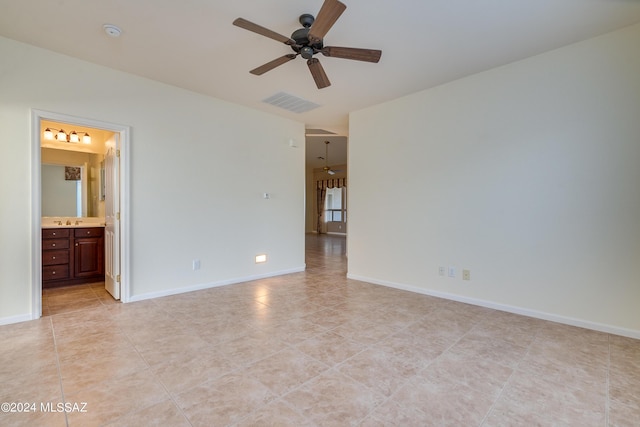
x=312 y=349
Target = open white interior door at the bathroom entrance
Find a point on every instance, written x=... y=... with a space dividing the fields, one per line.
x=112 y=217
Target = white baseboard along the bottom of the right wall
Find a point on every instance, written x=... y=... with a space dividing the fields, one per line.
x=631 y=333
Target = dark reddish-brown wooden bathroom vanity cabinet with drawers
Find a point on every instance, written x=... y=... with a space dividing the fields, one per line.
x=72 y=256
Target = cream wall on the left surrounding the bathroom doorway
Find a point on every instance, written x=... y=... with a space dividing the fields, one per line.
x=197 y=176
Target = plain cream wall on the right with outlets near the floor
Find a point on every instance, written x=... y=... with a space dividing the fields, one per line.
x=527 y=175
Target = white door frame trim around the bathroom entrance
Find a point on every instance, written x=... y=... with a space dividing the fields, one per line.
x=36 y=201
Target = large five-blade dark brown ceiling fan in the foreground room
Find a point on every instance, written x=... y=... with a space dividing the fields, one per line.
x=308 y=41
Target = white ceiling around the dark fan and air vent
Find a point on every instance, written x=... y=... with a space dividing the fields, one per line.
x=193 y=44
